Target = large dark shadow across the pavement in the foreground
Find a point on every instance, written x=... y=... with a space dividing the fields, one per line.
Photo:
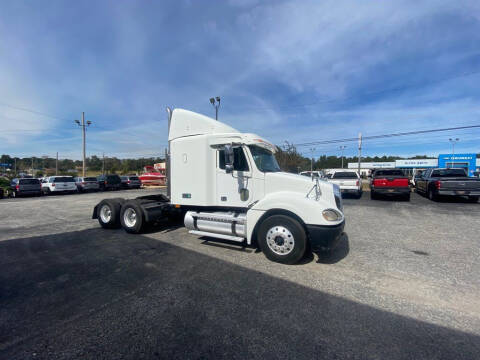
x=107 y=294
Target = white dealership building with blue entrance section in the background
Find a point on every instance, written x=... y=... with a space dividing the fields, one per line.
x=469 y=162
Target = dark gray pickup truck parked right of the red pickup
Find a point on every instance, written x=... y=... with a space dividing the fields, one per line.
x=449 y=182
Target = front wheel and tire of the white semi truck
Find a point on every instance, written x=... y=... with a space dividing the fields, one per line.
x=283 y=228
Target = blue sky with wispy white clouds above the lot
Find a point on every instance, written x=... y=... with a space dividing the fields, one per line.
x=290 y=71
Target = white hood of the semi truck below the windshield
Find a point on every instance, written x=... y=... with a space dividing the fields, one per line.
x=282 y=181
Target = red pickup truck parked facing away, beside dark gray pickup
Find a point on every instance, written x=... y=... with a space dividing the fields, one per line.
x=389 y=182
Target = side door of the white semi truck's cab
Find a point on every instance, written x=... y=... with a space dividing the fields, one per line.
x=234 y=189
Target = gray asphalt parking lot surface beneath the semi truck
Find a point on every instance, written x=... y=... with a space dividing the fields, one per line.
x=403 y=284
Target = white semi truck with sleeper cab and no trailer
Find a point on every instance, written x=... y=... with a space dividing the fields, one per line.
x=228 y=185
